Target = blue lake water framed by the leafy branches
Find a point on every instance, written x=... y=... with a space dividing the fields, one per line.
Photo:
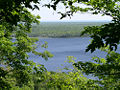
x=63 y=47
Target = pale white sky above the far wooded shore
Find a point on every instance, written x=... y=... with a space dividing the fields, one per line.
x=50 y=15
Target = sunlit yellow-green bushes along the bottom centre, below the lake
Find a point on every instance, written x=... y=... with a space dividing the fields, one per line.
x=71 y=80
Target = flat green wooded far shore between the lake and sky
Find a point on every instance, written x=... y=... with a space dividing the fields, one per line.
x=61 y=29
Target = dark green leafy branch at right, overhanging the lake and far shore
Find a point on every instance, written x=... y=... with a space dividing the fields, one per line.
x=102 y=36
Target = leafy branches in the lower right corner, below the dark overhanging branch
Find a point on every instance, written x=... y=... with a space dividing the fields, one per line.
x=106 y=69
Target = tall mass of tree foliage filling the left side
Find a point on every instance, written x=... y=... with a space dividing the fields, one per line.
x=15 y=24
